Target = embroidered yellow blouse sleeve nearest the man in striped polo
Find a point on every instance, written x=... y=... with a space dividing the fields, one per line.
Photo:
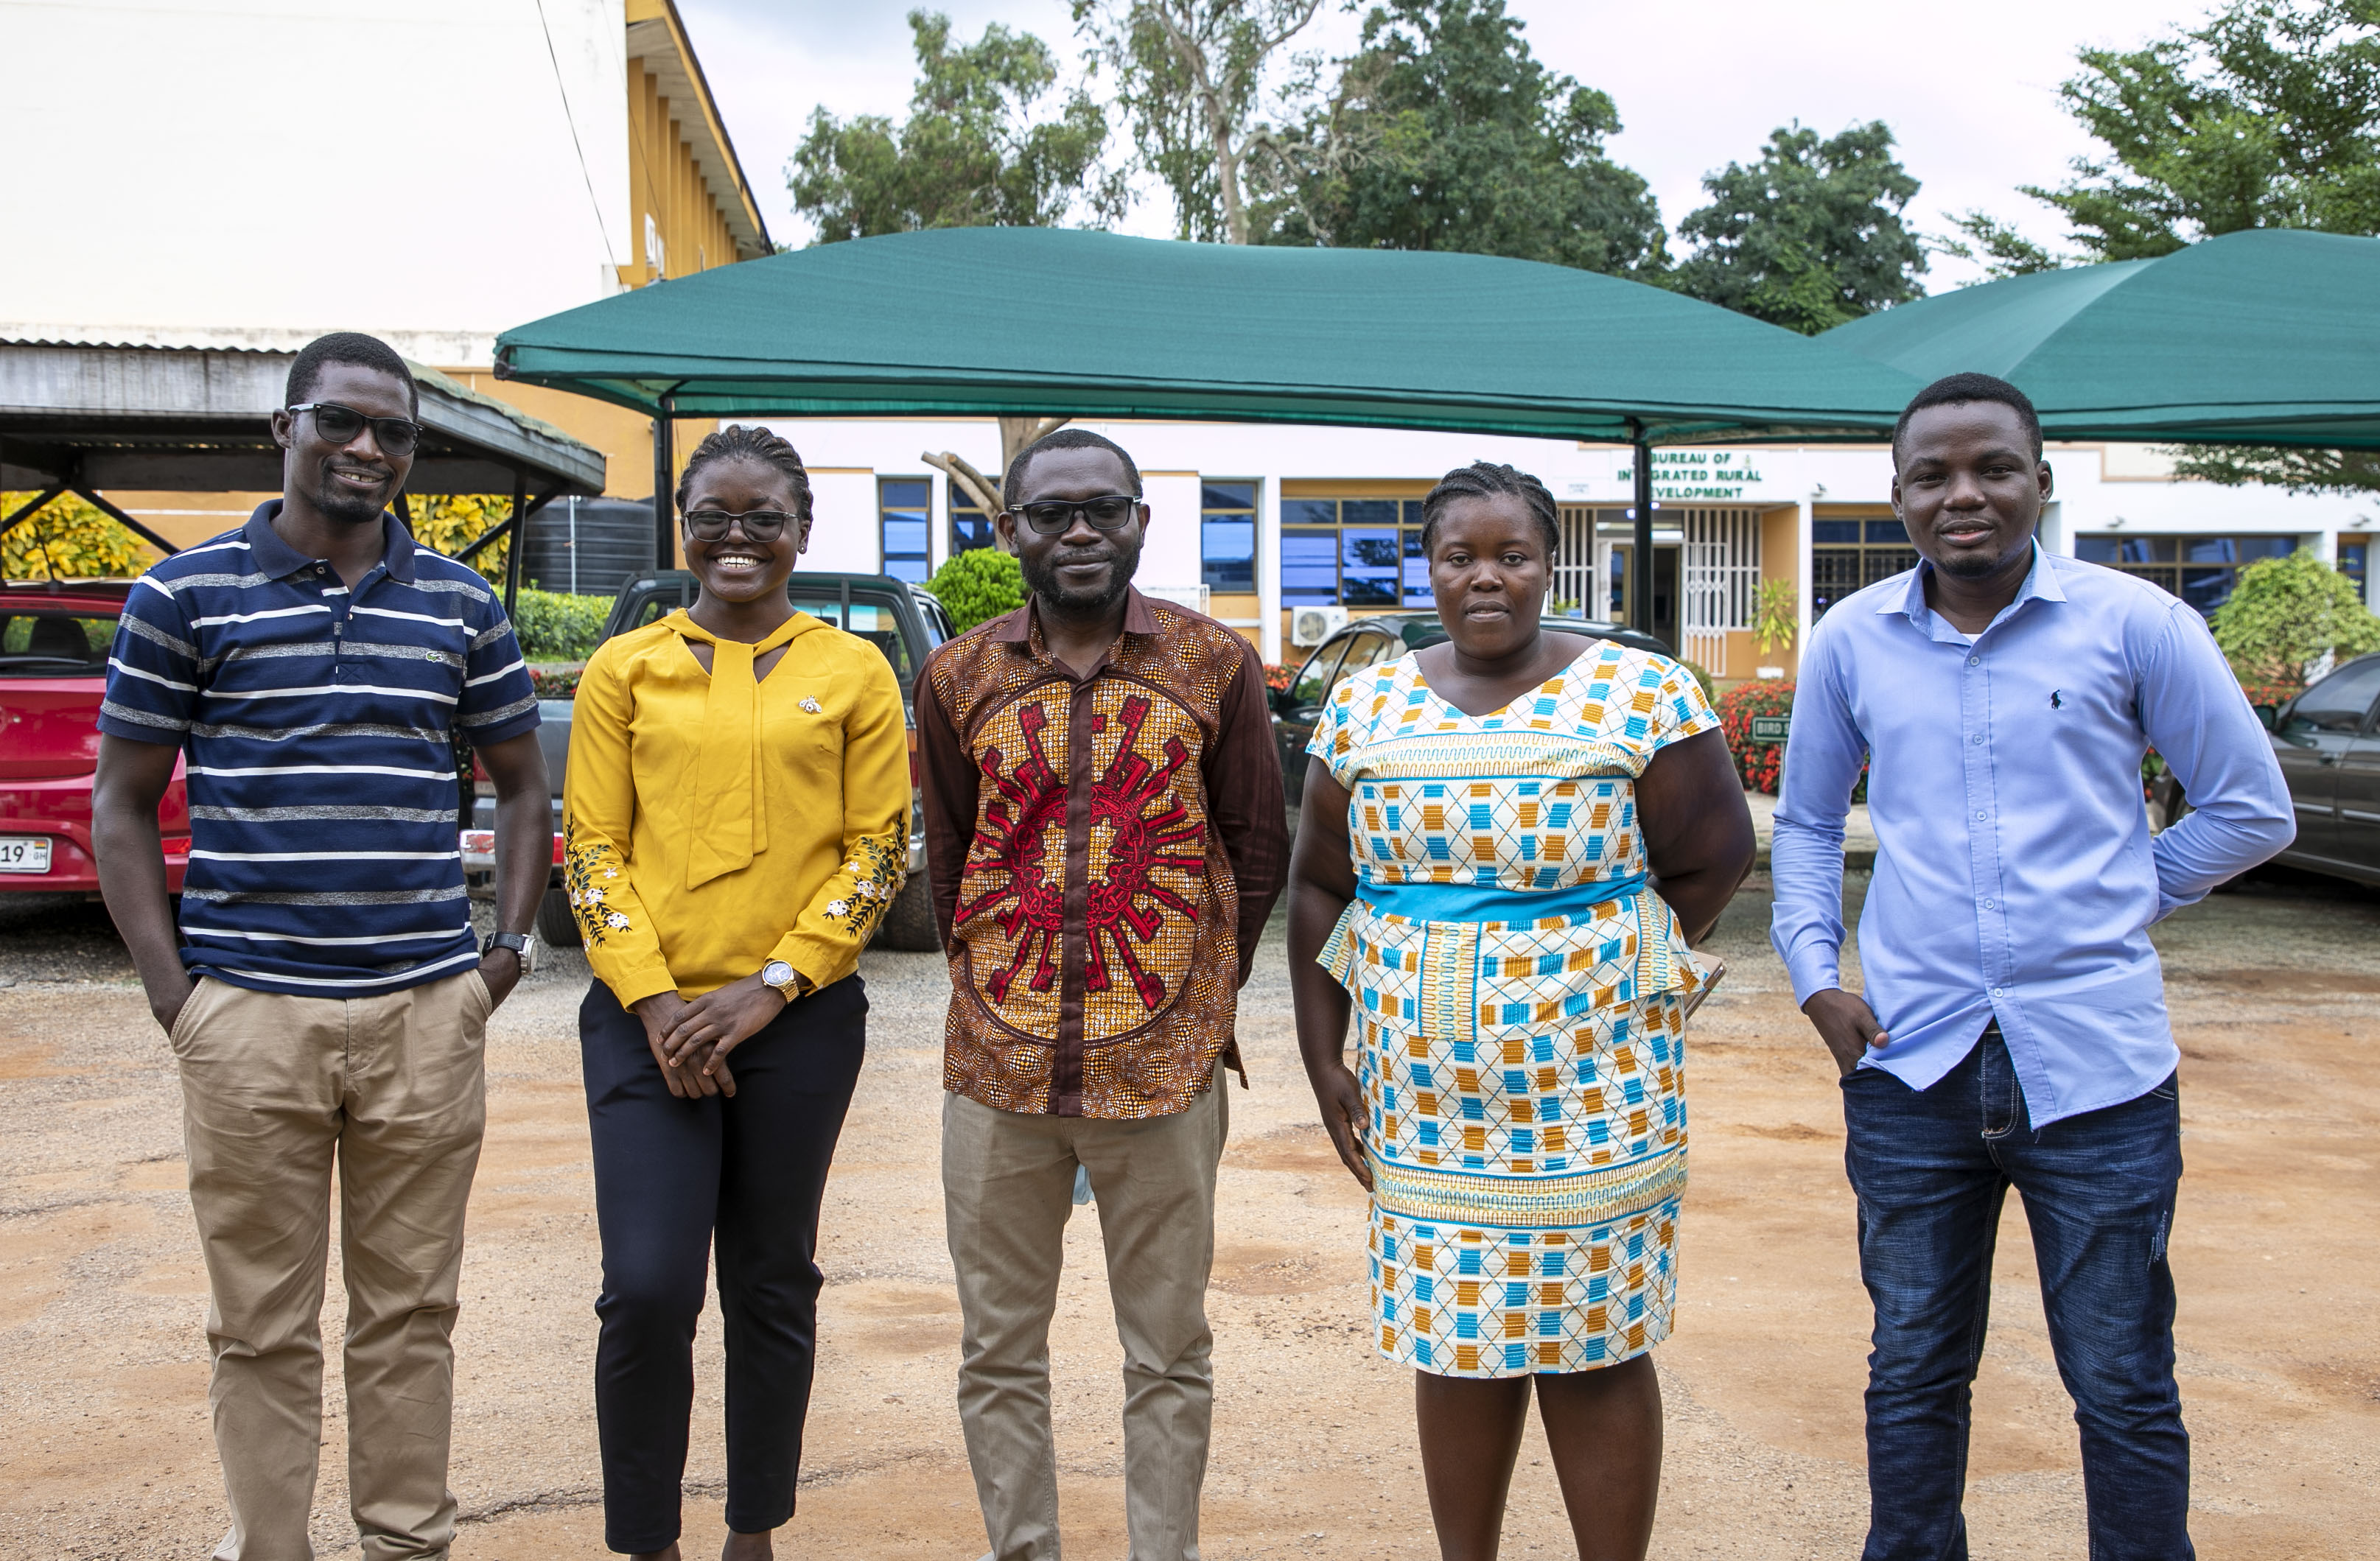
x=599 y=813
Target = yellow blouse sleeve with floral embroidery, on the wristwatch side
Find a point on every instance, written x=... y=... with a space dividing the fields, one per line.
x=848 y=908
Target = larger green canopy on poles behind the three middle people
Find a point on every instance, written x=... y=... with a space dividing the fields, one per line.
x=1051 y=322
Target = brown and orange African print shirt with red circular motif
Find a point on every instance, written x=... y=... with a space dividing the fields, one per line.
x=1103 y=855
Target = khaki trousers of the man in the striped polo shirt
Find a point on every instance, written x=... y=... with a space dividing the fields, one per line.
x=273 y=1091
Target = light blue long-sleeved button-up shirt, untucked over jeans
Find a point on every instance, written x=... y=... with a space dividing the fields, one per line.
x=2015 y=870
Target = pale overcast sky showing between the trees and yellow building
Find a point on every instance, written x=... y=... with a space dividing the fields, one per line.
x=1969 y=94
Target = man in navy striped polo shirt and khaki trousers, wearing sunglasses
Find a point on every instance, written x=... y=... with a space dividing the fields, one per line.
x=325 y=993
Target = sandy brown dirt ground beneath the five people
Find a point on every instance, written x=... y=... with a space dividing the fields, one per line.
x=2276 y=998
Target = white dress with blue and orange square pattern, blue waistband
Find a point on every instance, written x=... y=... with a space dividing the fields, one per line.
x=1520 y=1005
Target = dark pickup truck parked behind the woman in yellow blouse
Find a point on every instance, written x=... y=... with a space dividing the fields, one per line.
x=901 y=620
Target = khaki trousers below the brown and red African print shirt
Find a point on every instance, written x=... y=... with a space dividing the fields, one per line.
x=1008 y=1189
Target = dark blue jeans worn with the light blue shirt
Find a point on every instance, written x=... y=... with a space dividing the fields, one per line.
x=1931 y=1170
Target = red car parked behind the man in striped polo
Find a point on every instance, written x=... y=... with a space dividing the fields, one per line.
x=54 y=670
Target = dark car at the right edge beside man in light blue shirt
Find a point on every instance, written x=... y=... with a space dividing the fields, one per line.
x=2329 y=751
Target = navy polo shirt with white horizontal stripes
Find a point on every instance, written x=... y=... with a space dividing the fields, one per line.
x=318 y=729
